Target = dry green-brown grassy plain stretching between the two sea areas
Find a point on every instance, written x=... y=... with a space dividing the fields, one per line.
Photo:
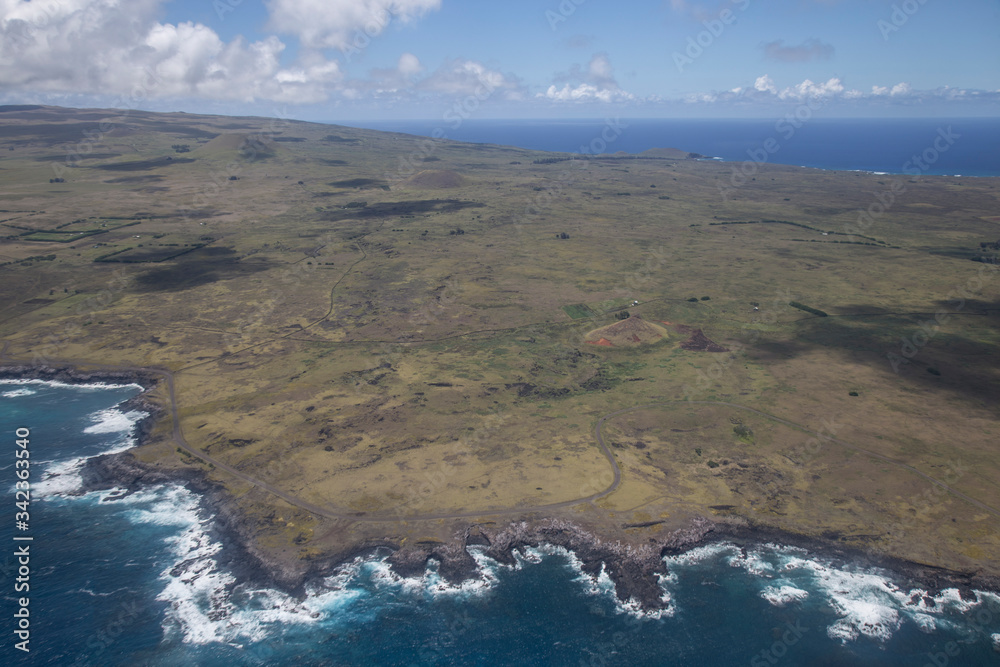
x=393 y=328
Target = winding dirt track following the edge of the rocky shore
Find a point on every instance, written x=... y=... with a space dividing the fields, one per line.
x=339 y=514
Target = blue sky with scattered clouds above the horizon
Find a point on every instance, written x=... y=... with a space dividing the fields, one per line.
x=382 y=59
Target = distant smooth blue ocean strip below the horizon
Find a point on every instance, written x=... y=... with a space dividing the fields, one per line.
x=869 y=144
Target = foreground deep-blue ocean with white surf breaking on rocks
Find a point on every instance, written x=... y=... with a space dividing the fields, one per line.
x=137 y=581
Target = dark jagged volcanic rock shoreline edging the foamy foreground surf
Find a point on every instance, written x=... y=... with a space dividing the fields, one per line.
x=635 y=569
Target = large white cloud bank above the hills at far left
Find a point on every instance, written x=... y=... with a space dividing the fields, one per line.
x=118 y=48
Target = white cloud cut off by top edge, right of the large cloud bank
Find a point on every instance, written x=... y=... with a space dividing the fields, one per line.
x=338 y=23
